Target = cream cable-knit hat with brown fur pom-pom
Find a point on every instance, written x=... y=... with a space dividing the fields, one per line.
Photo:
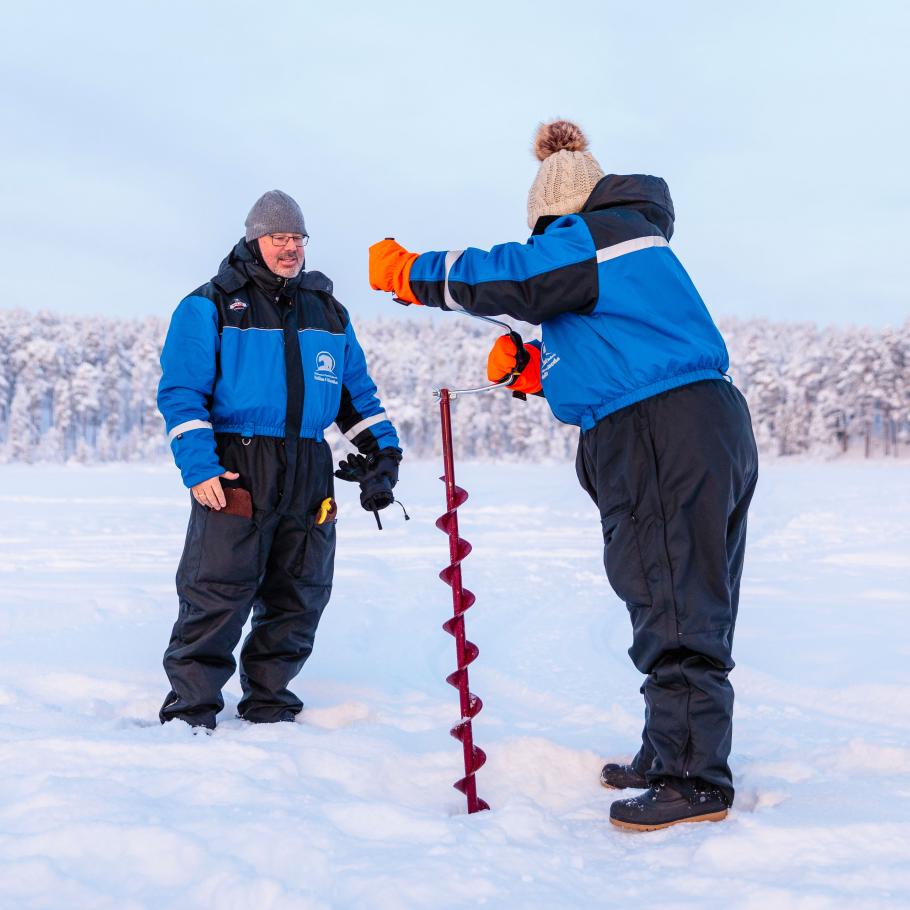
x=568 y=171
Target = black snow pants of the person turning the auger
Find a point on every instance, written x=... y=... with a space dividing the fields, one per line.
x=673 y=477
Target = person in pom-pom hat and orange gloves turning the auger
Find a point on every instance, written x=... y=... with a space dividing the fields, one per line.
x=629 y=354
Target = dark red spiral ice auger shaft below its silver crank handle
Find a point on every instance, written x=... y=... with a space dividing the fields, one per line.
x=462 y=600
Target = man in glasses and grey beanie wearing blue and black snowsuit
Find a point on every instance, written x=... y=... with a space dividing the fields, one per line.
x=256 y=365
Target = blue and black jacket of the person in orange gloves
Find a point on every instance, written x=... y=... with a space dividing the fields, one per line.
x=620 y=318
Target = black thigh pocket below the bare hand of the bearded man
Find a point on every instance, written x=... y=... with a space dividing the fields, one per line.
x=229 y=549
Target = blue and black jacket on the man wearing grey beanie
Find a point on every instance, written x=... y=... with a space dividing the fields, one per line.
x=224 y=368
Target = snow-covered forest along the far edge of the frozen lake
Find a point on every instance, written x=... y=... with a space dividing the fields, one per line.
x=84 y=388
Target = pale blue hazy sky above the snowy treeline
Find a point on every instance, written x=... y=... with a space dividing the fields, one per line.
x=137 y=135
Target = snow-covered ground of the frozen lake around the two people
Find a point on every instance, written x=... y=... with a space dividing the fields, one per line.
x=100 y=807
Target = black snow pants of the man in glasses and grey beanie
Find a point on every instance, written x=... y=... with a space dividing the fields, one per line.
x=279 y=563
